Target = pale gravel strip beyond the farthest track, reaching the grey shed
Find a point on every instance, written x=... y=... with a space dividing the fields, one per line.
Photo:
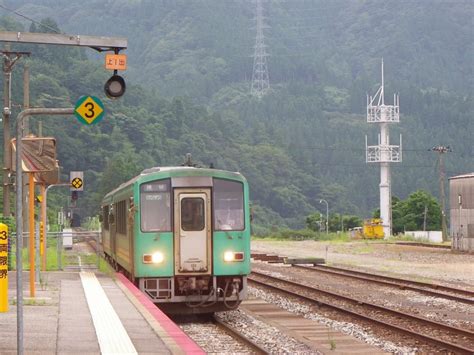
x=417 y=263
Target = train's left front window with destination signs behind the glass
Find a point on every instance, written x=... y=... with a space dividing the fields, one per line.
x=155 y=206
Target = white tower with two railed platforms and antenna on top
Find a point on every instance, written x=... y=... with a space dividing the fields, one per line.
x=384 y=153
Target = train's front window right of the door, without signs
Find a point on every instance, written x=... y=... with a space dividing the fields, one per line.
x=228 y=205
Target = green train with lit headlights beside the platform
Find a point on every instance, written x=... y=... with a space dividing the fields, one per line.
x=182 y=235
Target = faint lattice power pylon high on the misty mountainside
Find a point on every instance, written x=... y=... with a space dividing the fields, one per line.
x=260 y=80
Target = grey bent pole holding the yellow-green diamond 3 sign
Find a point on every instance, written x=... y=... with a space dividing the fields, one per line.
x=19 y=210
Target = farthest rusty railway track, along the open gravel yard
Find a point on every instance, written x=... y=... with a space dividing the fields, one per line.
x=395 y=282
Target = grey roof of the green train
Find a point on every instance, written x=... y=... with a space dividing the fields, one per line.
x=178 y=171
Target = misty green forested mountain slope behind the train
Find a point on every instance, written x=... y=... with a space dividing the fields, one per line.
x=188 y=91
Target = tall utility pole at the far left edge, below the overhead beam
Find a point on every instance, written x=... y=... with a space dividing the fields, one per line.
x=9 y=60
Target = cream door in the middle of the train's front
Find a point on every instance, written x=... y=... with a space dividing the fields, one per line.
x=192 y=221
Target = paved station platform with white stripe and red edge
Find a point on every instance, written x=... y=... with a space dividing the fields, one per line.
x=89 y=313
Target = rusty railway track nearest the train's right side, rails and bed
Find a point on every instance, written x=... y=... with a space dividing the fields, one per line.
x=437 y=334
